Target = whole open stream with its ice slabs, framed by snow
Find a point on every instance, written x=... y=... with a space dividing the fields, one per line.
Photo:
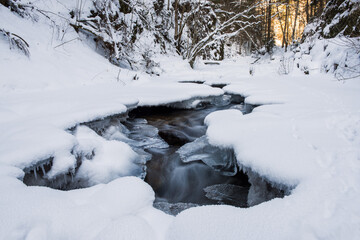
x=175 y=158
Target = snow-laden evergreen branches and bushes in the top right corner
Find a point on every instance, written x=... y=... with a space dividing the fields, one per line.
x=339 y=27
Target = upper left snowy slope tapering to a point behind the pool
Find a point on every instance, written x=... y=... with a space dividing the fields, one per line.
x=59 y=87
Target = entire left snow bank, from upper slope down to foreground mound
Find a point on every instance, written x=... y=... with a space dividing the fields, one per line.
x=43 y=98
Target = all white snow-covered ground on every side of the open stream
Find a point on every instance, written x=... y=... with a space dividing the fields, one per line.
x=306 y=135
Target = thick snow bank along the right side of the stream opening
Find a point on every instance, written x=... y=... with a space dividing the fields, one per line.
x=306 y=138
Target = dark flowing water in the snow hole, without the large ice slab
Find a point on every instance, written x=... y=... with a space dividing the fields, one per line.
x=180 y=185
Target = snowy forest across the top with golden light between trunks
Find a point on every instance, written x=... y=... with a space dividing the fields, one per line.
x=201 y=28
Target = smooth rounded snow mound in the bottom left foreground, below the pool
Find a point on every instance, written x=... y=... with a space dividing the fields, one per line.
x=90 y=213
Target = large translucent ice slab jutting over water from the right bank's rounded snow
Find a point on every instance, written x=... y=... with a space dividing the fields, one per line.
x=220 y=159
